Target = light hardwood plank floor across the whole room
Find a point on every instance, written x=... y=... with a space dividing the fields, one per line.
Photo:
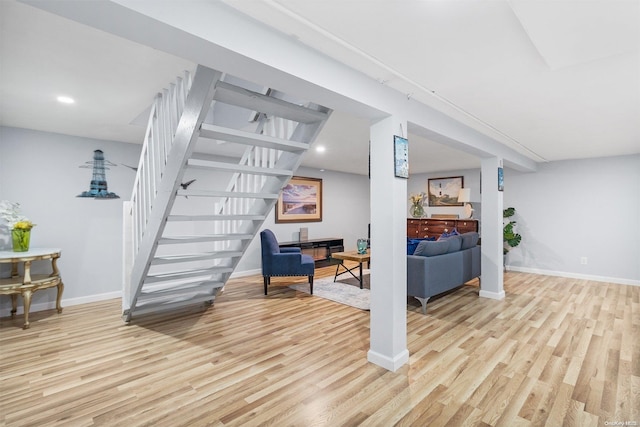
x=555 y=352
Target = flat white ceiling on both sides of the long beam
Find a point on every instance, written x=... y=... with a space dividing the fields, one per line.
x=552 y=79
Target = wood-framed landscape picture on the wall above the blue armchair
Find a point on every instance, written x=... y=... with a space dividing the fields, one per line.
x=300 y=201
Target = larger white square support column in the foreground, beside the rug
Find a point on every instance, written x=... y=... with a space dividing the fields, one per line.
x=388 y=335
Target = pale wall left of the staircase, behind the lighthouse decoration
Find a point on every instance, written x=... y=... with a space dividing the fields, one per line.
x=41 y=171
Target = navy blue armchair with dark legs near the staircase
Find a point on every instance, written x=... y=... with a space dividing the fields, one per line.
x=283 y=262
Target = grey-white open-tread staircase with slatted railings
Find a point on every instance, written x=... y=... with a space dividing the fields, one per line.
x=236 y=149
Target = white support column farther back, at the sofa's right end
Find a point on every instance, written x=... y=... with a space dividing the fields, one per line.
x=492 y=279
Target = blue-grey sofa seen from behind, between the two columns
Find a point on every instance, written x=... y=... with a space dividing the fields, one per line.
x=439 y=266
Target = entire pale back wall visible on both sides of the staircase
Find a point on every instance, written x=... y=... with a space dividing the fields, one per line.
x=41 y=171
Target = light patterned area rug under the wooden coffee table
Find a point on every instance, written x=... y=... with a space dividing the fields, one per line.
x=343 y=293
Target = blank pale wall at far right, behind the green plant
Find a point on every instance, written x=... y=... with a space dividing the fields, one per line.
x=576 y=209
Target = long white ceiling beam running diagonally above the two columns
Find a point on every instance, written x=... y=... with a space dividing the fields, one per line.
x=217 y=36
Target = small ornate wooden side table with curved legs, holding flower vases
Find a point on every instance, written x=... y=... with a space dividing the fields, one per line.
x=26 y=284
